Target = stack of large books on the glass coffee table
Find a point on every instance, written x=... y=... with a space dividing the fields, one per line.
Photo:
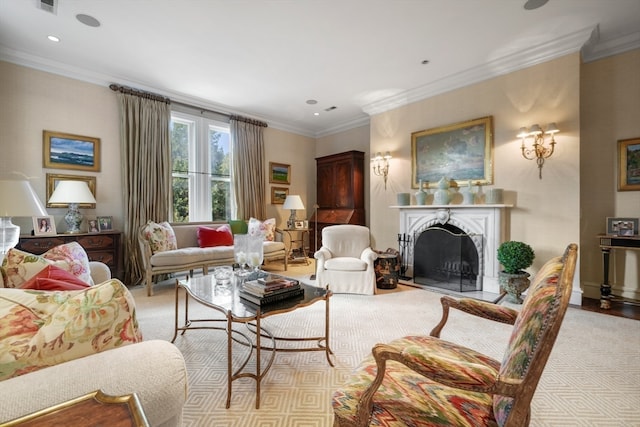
x=270 y=289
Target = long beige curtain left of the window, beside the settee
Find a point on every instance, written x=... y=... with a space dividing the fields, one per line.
x=146 y=168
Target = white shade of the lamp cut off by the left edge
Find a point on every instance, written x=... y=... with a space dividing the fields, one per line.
x=17 y=198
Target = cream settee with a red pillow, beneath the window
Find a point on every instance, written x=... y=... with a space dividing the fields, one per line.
x=177 y=247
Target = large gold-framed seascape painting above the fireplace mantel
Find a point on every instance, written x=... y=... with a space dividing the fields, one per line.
x=461 y=152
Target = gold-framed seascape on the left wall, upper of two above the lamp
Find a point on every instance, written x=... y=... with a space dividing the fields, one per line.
x=68 y=151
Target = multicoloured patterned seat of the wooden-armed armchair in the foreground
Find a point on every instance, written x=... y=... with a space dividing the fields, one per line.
x=408 y=398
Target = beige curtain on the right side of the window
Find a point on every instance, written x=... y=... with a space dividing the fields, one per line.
x=248 y=167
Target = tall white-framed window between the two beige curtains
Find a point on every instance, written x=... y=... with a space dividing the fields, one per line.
x=201 y=163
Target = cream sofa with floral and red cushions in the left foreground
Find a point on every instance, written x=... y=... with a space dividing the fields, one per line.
x=78 y=341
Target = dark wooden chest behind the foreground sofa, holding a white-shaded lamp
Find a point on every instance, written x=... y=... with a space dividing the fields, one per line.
x=103 y=246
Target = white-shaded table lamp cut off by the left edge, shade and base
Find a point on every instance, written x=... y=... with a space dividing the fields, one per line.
x=17 y=198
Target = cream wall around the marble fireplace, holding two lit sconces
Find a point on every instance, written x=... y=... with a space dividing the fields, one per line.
x=547 y=211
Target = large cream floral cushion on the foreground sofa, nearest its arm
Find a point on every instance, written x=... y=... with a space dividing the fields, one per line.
x=45 y=328
